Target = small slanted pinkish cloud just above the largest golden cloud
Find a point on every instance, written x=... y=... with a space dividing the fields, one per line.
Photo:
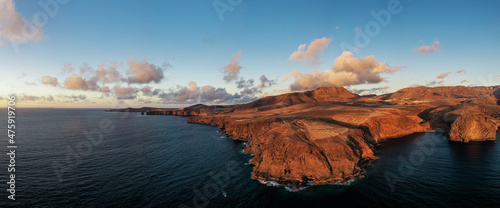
x=311 y=54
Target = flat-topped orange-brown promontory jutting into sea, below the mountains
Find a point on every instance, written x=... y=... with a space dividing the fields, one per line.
x=318 y=143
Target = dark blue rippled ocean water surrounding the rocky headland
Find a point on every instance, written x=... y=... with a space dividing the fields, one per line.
x=162 y=161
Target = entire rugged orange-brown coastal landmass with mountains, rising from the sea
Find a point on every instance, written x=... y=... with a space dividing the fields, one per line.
x=328 y=135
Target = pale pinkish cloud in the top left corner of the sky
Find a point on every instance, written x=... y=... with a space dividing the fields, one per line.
x=14 y=28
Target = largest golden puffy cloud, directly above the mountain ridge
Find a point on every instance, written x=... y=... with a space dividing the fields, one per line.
x=346 y=71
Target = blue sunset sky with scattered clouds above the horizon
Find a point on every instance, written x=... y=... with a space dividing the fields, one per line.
x=174 y=53
